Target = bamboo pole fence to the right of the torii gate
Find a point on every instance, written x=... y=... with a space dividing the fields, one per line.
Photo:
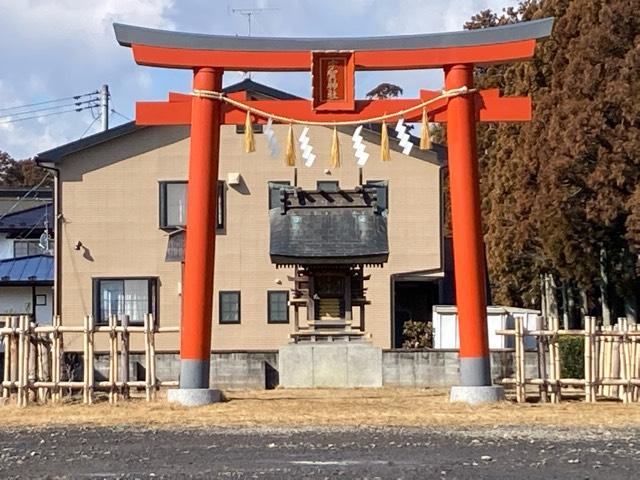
x=611 y=362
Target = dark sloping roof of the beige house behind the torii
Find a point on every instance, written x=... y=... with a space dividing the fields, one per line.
x=370 y=133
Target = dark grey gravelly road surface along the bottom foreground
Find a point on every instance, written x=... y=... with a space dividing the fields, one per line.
x=499 y=453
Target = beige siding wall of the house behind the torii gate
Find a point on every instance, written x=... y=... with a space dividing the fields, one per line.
x=110 y=203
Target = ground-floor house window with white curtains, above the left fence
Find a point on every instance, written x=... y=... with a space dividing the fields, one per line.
x=120 y=297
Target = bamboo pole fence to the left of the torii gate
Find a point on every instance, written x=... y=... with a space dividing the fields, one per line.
x=34 y=364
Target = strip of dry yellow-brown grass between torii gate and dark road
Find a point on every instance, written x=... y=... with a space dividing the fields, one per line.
x=290 y=408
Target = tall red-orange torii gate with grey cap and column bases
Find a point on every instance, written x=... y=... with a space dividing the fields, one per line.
x=208 y=56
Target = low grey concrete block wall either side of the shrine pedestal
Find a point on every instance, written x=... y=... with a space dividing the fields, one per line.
x=259 y=370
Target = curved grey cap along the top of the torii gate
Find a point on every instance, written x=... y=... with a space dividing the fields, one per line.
x=129 y=35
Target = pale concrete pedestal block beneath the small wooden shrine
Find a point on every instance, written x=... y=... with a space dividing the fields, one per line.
x=330 y=365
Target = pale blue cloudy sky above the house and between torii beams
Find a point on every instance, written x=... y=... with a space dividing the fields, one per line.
x=51 y=49
